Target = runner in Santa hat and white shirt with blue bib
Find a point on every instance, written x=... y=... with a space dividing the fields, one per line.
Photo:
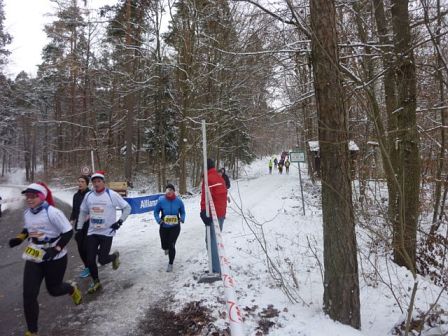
x=101 y=206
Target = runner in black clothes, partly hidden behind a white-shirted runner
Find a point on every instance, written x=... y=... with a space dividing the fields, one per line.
x=81 y=234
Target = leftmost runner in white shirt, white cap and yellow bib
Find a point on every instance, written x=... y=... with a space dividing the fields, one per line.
x=48 y=232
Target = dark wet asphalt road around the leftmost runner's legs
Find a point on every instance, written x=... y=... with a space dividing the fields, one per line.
x=52 y=309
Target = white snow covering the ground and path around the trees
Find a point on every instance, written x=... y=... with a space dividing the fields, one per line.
x=265 y=214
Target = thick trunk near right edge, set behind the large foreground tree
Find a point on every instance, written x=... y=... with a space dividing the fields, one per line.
x=405 y=230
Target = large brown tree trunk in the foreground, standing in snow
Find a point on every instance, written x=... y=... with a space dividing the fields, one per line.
x=341 y=284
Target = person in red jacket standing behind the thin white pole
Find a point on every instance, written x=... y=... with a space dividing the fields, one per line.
x=218 y=190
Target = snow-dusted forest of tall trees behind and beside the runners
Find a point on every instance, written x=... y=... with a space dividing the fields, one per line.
x=266 y=77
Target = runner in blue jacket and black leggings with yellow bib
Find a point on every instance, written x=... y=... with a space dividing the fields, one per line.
x=169 y=213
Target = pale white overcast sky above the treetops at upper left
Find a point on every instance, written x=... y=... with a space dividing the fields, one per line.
x=25 y=20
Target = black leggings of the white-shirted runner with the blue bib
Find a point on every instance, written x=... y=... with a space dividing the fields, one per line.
x=98 y=245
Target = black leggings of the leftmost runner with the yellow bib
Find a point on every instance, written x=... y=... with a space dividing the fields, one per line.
x=53 y=273
